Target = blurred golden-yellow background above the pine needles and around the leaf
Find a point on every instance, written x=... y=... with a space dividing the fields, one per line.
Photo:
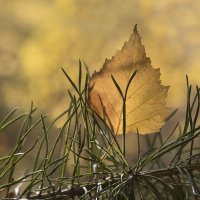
x=38 y=37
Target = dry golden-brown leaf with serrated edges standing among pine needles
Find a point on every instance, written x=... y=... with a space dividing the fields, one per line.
x=146 y=97
